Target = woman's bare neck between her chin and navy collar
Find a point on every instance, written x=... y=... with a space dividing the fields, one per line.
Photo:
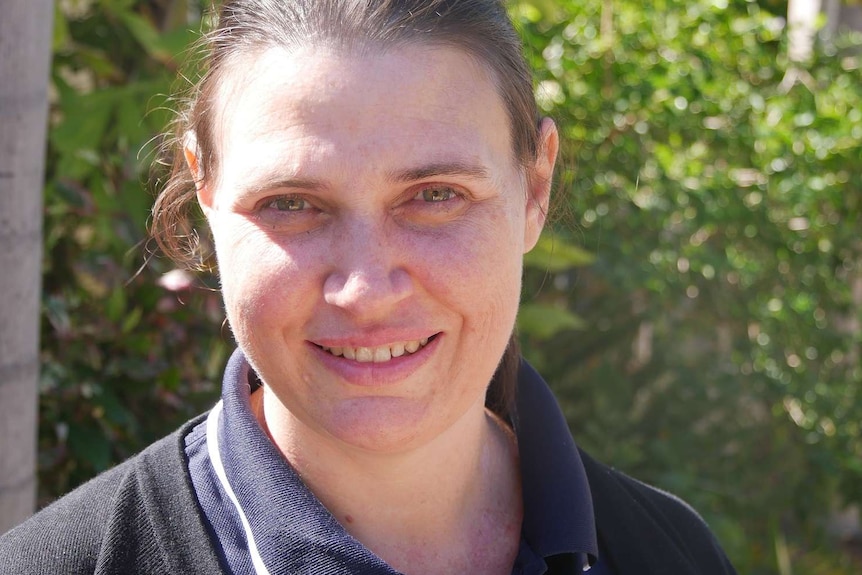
x=447 y=506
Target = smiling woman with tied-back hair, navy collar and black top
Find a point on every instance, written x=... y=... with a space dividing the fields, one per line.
x=372 y=173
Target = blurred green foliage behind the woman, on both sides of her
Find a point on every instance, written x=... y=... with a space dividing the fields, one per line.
x=698 y=312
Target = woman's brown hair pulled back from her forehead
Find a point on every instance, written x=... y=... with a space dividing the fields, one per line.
x=479 y=27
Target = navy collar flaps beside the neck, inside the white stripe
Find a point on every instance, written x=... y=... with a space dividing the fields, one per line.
x=558 y=510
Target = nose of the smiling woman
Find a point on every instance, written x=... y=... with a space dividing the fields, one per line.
x=368 y=279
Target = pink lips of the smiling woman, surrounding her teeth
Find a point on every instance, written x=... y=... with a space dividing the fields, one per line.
x=371 y=374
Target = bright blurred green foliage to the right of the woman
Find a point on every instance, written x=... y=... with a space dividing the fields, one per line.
x=720 y=191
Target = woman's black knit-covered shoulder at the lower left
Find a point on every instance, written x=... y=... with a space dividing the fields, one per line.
x=101 y=526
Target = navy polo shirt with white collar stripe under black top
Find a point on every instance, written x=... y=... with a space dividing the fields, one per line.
x=266 y=521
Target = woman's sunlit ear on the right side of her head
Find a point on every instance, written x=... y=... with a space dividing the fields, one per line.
x=539 y=181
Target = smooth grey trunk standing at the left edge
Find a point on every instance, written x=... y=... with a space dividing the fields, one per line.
x=25 y=56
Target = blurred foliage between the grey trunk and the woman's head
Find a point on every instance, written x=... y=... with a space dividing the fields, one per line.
x=127 y=352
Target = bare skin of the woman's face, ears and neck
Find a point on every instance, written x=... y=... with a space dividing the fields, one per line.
x=366 y=199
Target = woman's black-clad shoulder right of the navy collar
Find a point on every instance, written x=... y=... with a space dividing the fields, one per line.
x=634 y=518
